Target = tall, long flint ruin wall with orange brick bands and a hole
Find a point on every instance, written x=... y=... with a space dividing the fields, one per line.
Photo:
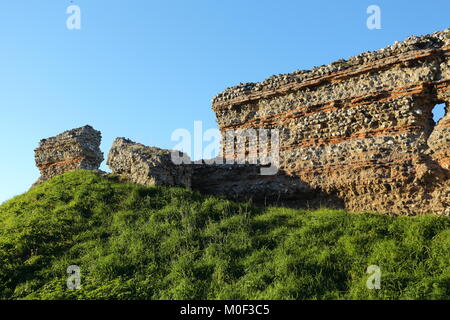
x=360 y=129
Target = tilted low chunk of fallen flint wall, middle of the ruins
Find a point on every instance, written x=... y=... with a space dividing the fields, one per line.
x=147 y=166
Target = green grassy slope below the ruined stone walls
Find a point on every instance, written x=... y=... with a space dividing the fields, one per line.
x=133 y=242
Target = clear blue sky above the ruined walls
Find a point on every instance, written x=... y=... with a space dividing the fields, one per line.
x=142 y=68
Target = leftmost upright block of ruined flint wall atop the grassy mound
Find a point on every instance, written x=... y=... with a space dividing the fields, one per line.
x=71 y=150
